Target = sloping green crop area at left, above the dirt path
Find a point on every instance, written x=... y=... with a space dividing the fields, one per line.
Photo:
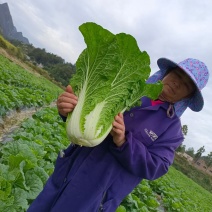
x=21 y=89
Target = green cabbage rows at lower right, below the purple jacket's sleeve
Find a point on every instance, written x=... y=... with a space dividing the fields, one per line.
x=172 y=192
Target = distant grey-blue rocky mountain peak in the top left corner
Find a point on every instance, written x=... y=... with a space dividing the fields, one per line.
x=7 y=28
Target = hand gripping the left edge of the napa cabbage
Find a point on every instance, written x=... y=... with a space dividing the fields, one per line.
x=66 y=102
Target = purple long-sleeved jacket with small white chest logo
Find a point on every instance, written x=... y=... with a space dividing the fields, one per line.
x=90 y=179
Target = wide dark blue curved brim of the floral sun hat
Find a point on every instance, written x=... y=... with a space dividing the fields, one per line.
x=196 y=101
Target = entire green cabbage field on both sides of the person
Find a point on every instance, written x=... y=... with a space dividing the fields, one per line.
x=27 y=157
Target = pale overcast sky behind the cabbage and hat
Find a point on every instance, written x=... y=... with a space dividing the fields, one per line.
x=173 y=29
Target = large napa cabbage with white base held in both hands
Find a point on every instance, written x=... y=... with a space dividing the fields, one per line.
x=110 y=78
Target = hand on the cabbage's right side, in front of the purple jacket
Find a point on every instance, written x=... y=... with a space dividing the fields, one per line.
x=118 y=130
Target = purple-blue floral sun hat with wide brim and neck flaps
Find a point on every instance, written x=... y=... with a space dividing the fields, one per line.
x=196 y=70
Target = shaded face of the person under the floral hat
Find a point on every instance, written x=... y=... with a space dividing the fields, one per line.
x=177 y=85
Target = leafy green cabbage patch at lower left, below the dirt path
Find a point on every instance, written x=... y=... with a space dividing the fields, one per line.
x=27 y=159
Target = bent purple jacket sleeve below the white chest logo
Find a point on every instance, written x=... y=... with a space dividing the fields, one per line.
x=149 y=162
